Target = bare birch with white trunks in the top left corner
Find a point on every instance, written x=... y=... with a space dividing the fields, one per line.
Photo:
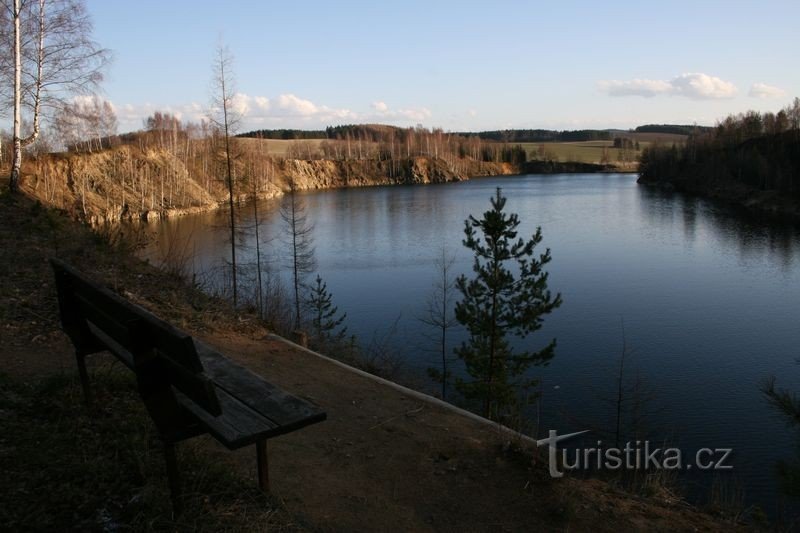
x=50 y=57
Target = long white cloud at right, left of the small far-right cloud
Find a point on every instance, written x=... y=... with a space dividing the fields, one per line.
x=695 y=85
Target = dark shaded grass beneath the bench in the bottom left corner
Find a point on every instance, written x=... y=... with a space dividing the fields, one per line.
x=66 y=467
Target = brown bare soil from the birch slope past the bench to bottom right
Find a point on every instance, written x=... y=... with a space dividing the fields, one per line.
x=385 y=460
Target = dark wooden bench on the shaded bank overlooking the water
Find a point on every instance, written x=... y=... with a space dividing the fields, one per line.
x=187 y=387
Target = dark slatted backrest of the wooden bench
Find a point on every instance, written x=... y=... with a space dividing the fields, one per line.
x=97 y=319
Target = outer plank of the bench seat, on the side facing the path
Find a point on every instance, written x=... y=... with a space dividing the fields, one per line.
x=283 y=409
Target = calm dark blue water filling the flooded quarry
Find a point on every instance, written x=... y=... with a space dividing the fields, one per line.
x=710 y=300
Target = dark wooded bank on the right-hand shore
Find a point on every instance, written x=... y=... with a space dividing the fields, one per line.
x=743 y=153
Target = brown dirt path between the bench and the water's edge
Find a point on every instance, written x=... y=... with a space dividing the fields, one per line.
x=386 y=460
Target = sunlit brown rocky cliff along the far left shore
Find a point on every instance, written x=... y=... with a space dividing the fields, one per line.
x=127 y=183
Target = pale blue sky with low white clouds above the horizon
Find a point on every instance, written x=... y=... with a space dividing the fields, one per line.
x=458 y=65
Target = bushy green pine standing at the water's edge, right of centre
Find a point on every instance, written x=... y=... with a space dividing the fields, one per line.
x=499 y=302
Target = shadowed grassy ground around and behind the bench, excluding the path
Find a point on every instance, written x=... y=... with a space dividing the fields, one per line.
x=65 y=468
